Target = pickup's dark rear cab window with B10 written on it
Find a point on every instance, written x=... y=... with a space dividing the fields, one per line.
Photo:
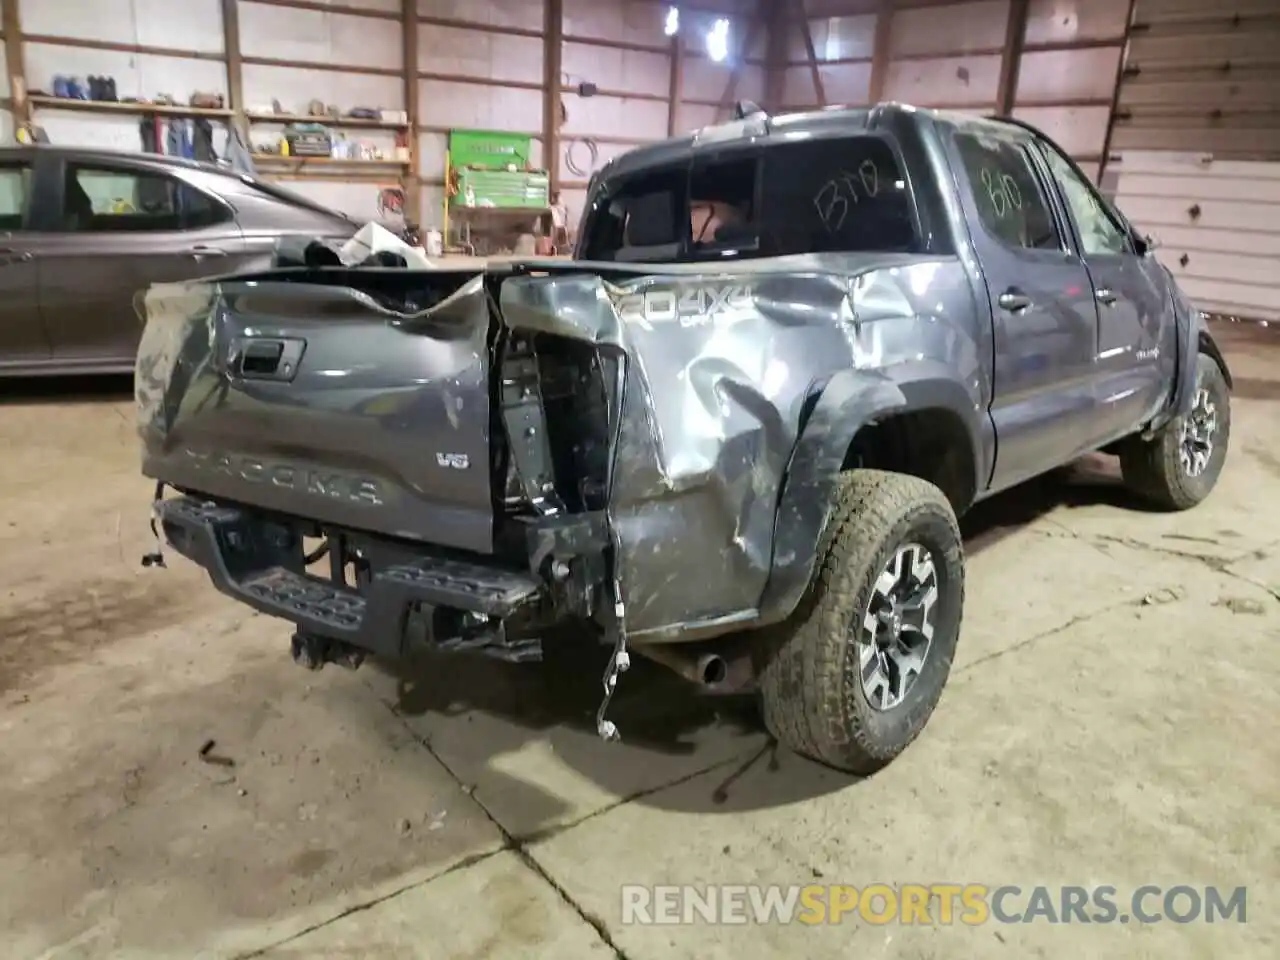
x=825 y=195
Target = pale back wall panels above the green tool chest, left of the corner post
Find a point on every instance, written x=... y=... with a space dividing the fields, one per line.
x=482 y=66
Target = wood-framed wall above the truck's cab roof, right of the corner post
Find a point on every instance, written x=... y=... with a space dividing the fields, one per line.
x=1053 y=63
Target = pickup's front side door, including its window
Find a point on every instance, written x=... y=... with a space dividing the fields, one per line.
x=1137 y=349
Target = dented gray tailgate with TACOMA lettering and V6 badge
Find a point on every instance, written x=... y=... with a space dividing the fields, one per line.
x=292 y=392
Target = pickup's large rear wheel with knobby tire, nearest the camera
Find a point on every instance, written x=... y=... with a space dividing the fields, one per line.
x=862 y=664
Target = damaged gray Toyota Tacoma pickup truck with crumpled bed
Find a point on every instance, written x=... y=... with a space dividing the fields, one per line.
x=733 y=436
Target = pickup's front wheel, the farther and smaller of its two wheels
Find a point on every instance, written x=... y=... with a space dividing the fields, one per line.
x=1181 y=465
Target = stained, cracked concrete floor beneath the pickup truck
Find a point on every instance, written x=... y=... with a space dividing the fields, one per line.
x=1114 y=717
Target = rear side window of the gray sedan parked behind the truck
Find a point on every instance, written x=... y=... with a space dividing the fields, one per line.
x=115 y=200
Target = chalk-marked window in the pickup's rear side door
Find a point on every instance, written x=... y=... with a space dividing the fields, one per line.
x=1012 y=204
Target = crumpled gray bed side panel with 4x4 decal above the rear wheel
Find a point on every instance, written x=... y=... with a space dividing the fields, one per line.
x=724 y=371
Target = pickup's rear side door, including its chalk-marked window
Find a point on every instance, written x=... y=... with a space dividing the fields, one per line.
x=1043 y=307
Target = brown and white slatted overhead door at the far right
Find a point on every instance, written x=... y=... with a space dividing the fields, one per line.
x=1196 y=147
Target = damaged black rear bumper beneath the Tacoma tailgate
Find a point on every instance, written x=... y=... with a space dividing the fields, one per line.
x=258 y=560
